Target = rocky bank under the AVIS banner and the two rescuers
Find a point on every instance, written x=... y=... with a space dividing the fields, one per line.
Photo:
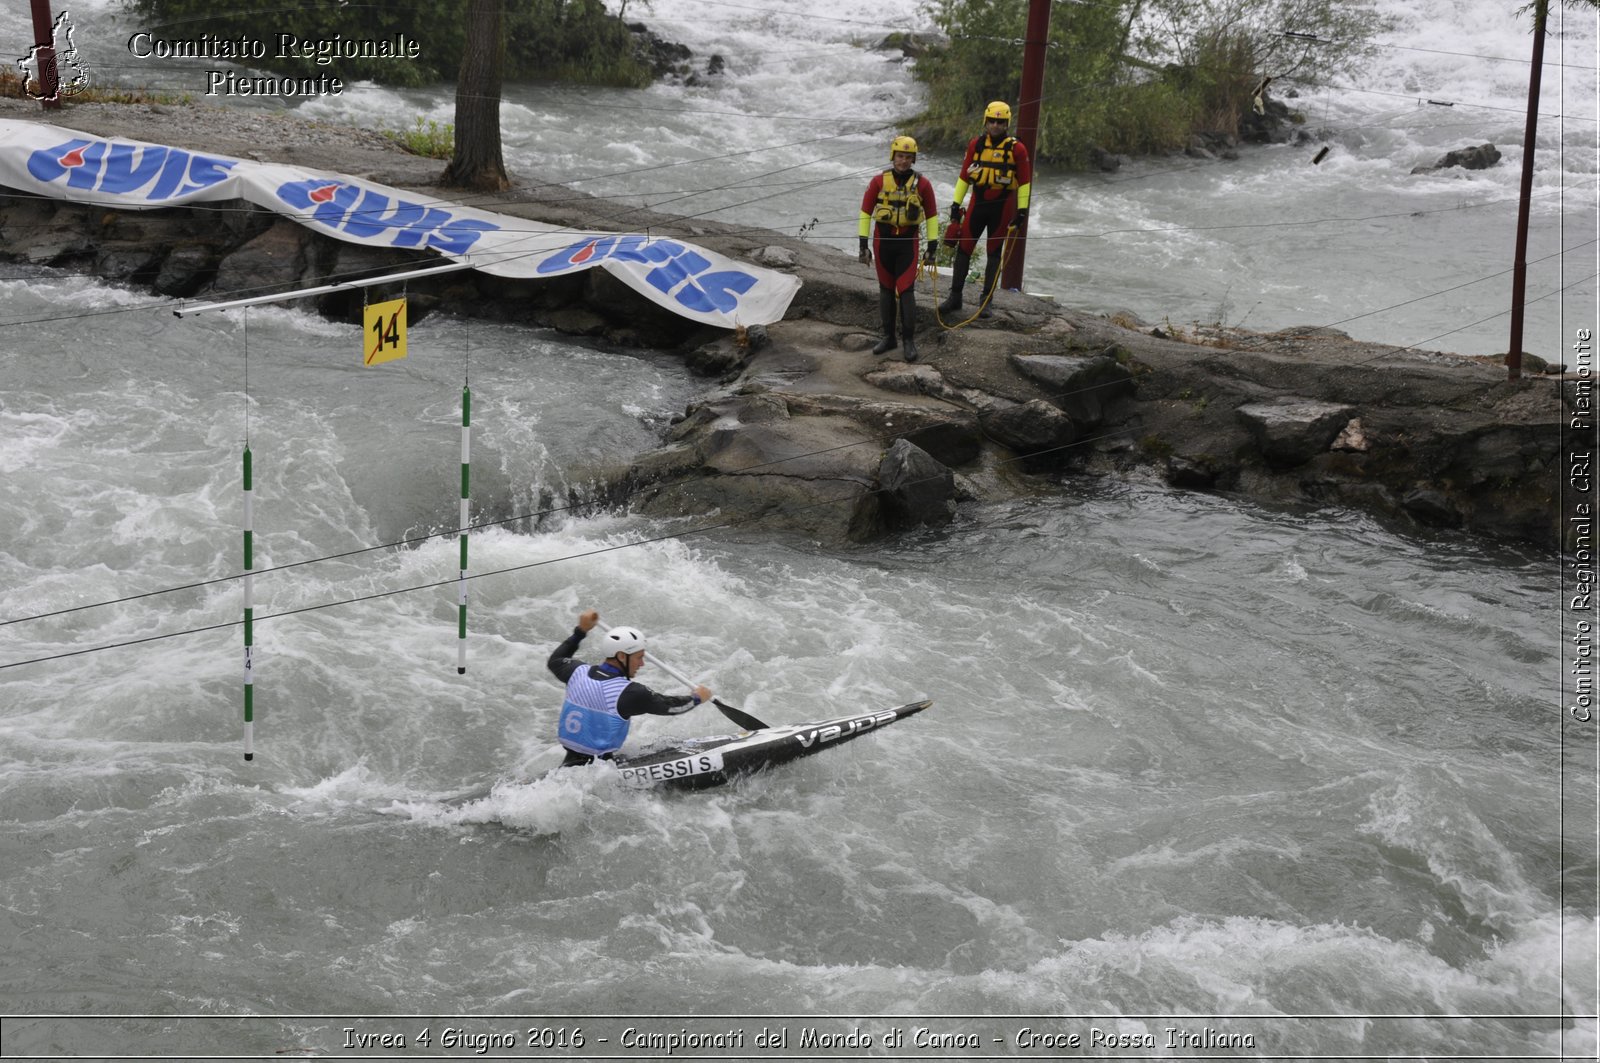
x=804 y=430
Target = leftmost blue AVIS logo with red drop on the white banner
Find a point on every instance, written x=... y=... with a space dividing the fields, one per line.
x=146 y=170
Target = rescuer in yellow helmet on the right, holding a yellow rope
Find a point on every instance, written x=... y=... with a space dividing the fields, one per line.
x=1001 y=179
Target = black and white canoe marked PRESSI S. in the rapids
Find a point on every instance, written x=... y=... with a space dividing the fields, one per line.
x=713 y=761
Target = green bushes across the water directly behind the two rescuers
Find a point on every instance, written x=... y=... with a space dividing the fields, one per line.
x=1134 y=76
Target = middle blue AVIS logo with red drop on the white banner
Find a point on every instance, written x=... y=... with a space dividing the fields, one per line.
x=369 y=215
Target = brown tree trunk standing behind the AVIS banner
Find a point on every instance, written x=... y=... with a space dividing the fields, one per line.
x=478 y=162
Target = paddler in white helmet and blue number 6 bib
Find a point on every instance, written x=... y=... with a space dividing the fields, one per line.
x=604 y=699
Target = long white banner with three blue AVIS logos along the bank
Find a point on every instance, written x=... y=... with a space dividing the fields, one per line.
x=134 y=175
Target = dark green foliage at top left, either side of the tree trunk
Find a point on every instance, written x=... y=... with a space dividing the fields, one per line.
x=574 y=41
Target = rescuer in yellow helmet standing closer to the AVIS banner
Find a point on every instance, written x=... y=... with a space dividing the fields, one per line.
x=895 y=211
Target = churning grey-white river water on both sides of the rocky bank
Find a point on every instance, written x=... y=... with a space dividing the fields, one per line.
x=1201 y=779
